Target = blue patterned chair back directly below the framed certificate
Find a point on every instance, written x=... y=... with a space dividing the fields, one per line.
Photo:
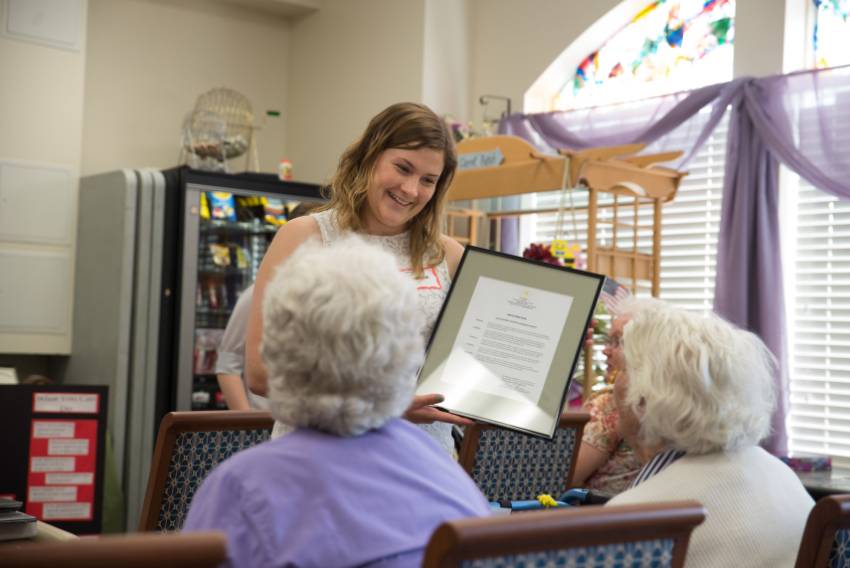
x=510 y=465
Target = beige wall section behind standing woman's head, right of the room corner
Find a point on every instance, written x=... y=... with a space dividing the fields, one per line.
x=348 y=61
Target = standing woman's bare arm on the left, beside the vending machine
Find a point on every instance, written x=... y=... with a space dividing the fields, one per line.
x=287 y=239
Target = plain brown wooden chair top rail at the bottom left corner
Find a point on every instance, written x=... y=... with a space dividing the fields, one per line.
x=189 y=550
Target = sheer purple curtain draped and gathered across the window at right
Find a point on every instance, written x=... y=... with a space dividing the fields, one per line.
x=794 y=119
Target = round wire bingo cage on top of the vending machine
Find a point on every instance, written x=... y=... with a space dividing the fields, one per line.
x=219 y=129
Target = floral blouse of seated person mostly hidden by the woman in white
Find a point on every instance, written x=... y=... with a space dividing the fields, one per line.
x=603 y=434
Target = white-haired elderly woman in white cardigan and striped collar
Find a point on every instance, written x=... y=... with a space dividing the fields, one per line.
x=695 y=396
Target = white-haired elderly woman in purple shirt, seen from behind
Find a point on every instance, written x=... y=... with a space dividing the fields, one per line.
x=354 y=484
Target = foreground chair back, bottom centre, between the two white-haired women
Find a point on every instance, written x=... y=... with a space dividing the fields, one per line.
x=626 y=536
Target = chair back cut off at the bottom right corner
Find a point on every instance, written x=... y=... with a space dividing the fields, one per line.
x=826 y=540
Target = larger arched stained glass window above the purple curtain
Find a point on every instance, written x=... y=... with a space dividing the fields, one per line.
x=668 y=46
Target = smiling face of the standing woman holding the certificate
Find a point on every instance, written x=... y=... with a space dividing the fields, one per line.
x=403 y=183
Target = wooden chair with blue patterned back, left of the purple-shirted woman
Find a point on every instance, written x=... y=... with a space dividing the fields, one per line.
x=188 y=447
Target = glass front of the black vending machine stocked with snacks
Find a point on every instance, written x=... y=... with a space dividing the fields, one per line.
x=228 y=223
